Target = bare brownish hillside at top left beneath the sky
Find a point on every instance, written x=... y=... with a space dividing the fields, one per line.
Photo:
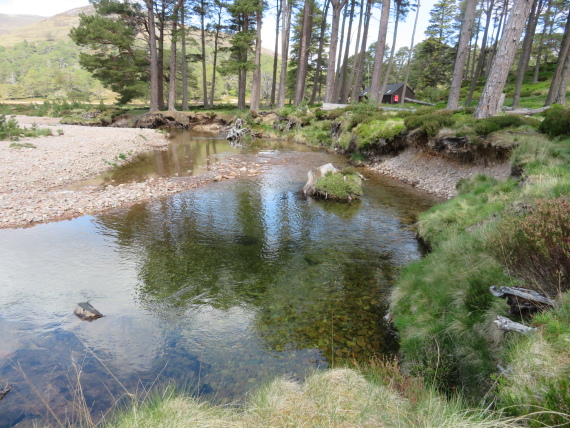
x=41 y=29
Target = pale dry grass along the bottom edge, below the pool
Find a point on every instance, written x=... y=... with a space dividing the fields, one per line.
x=334 y=398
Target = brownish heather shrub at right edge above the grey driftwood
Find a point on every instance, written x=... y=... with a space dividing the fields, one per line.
x=535 y=245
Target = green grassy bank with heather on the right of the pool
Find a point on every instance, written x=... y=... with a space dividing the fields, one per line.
x=512 y=233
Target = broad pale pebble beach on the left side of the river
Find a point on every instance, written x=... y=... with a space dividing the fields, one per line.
x=35 y=182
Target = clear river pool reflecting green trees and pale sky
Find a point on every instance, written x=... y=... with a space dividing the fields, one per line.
x=217 y=289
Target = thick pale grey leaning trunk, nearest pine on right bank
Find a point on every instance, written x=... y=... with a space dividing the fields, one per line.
x=491 y=96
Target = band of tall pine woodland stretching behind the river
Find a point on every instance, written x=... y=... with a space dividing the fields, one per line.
x=172 y=51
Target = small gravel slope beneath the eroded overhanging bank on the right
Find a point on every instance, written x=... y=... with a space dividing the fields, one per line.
x=435 y=174
